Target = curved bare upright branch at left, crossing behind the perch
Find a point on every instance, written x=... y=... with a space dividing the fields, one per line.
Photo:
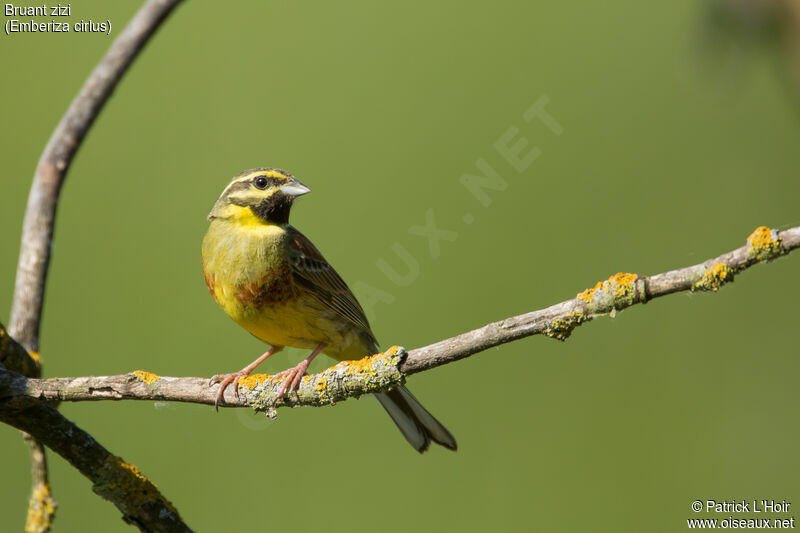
x=37 y=229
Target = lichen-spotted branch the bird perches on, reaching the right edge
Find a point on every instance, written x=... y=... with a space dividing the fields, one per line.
x=386 y=370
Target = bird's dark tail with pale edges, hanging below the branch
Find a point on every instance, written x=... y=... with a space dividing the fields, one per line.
x=417 y=425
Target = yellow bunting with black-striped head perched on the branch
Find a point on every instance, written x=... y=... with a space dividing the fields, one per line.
x=272 y=281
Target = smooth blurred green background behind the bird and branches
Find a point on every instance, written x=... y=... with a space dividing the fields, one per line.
x=680 y=136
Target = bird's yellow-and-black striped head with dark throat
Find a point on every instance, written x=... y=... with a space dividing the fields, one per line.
x=261 y=195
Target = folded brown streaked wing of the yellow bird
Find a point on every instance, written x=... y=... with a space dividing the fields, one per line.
x=312 y=271
